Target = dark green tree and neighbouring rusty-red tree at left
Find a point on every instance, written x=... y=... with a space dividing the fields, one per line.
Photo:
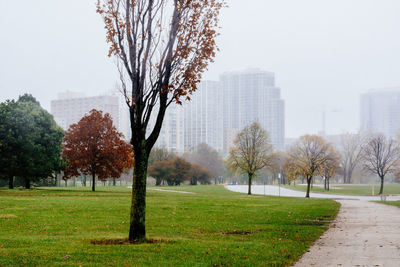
x=33 y=148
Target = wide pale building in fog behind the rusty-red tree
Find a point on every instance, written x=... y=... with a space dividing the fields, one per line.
x=70 y=107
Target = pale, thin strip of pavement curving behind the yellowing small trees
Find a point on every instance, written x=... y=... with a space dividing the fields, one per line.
x=274 y=190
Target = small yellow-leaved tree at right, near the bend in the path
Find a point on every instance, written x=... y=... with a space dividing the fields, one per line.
x=307 y=158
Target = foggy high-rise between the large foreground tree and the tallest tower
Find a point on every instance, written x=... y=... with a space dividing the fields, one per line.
x=203 y=117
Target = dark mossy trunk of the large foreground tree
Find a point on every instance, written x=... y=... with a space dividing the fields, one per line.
x=137 y=230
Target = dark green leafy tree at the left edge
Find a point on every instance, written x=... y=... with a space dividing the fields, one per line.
x=30 y=141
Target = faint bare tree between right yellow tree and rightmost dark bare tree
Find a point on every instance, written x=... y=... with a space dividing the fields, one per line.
x=351 y=154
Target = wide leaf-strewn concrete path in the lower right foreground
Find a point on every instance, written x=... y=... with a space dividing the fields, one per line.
x=363 y=234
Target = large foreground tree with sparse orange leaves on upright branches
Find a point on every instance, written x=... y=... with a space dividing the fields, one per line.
x=162 y=48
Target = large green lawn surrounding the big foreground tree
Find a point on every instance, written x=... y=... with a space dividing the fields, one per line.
x=212 y=227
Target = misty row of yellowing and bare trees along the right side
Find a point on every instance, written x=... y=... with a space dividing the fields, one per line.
x=313 y=157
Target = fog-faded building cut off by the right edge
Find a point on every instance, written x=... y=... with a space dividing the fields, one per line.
x=380 y=111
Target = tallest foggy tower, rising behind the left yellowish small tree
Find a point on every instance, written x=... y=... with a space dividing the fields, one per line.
x=250 y=96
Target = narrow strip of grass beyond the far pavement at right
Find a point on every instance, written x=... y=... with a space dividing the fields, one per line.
x=351 y=189
